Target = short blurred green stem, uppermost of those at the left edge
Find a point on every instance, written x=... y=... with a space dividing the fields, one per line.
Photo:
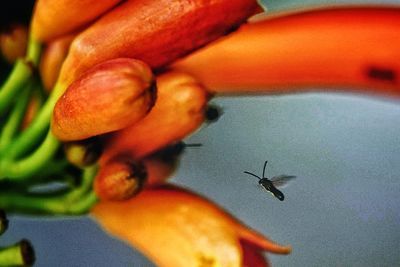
x=19 y=76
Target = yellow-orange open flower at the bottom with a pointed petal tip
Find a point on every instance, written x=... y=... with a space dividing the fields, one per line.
x=197 y=232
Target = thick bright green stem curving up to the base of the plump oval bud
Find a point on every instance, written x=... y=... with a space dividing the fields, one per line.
x=19 y=170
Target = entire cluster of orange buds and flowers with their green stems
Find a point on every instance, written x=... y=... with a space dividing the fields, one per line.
x=115 y=84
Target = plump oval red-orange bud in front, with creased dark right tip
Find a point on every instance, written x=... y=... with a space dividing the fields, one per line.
x=110 y=96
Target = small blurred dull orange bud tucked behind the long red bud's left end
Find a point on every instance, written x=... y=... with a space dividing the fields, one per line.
x=52 y=59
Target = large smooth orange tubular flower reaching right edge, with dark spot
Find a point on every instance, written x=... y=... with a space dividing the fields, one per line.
x=339 y=47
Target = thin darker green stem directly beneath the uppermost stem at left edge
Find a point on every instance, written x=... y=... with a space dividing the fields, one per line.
x=14 y=120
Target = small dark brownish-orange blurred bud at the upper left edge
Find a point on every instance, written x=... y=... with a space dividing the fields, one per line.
x=13 y=42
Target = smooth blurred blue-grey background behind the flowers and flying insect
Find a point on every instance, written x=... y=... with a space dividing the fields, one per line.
x=343 y=209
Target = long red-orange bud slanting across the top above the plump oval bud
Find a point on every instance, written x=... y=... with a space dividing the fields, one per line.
x=147 y=30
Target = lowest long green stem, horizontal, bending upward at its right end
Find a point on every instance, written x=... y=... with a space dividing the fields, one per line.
x=77 y=201
